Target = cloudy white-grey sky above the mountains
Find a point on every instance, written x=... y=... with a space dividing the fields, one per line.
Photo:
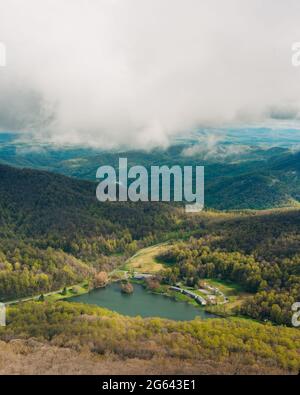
x=137 y=73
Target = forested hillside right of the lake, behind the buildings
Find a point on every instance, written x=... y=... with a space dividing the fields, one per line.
x=258 y=251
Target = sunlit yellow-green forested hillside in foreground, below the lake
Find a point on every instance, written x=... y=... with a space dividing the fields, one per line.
x=212 y=346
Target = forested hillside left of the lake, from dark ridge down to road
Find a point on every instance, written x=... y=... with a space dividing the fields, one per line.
x=53 y=231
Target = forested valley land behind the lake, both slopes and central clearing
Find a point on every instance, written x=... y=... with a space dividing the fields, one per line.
x=43 y=254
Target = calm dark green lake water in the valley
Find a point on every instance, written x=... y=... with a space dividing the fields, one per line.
x=142 y=303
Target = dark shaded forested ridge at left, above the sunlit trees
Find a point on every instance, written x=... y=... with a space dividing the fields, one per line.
x=43 y=203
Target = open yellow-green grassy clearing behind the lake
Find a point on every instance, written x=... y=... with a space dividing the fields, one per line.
x=145 y=261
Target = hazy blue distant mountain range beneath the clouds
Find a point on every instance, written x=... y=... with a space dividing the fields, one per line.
x=238 y=176
